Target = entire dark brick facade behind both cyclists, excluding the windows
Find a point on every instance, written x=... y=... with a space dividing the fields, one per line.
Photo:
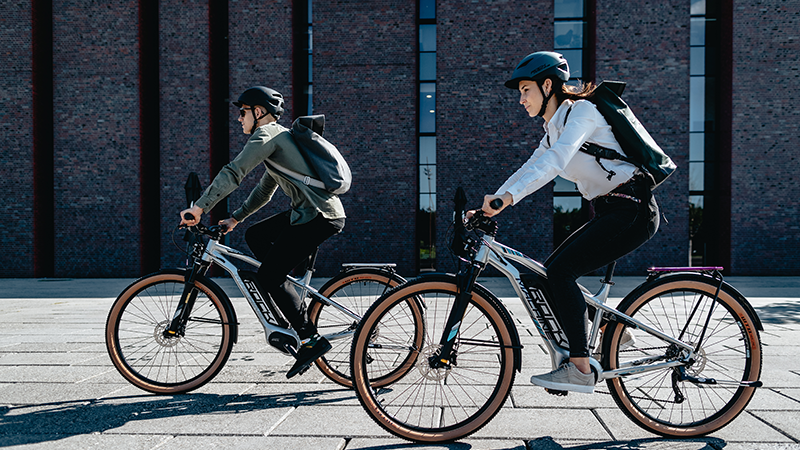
x=364 y=64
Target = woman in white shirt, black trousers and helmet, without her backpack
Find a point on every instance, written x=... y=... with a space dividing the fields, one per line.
x=626 y=214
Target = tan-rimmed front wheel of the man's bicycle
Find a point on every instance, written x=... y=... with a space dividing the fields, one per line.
x=160 y=363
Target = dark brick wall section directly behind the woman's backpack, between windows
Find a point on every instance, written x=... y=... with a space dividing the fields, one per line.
x=646 y=44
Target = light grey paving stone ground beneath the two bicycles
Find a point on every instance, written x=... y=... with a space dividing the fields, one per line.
x=58 y=388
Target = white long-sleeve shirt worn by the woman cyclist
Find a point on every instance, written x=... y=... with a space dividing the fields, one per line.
x=558 y=154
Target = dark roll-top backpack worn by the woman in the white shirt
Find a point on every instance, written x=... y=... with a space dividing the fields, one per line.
x=640 y=148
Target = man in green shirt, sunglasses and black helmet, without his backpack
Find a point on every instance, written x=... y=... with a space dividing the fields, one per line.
x=285 y=240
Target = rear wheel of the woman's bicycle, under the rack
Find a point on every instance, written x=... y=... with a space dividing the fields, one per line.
x=728 y=351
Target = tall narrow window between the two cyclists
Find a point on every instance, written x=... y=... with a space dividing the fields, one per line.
x=426 y=112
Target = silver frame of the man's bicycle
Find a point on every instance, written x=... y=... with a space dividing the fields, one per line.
x=217 y=253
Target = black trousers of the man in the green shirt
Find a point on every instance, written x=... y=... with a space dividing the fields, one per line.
x=280 y=247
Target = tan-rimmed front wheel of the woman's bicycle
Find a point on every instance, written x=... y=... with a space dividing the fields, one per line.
x=433 y=402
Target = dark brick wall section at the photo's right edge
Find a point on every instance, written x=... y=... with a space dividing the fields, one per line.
x=765 y=206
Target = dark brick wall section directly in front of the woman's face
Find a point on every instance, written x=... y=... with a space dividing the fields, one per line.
x=484 y=134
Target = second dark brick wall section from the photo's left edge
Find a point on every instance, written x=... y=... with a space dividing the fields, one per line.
x=96 y=142
